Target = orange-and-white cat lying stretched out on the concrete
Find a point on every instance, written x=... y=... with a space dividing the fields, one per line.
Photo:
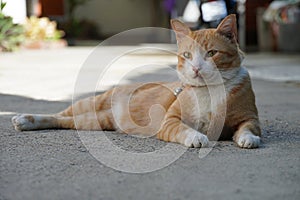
x=181 y=112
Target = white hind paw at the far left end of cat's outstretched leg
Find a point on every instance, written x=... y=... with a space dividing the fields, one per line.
x=23 y=122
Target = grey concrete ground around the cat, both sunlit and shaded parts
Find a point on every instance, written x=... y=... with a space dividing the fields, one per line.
x=55 y=164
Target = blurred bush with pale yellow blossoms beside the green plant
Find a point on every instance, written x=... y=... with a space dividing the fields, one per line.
x=41 y=29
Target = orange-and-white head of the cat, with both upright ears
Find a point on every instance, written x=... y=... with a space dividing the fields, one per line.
x=204 y=55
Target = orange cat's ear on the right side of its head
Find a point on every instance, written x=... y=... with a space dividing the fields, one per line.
x=228 y=28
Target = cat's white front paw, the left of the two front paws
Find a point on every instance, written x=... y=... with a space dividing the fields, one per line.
x=195 y=139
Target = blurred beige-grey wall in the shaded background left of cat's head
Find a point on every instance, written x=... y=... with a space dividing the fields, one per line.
x=114 y=16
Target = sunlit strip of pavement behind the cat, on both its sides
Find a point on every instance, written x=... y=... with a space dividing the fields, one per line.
x=52 y=74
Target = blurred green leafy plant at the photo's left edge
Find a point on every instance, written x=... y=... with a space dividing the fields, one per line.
x=11 y=35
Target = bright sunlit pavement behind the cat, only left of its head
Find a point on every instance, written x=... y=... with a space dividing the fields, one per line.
x=52 y=74
